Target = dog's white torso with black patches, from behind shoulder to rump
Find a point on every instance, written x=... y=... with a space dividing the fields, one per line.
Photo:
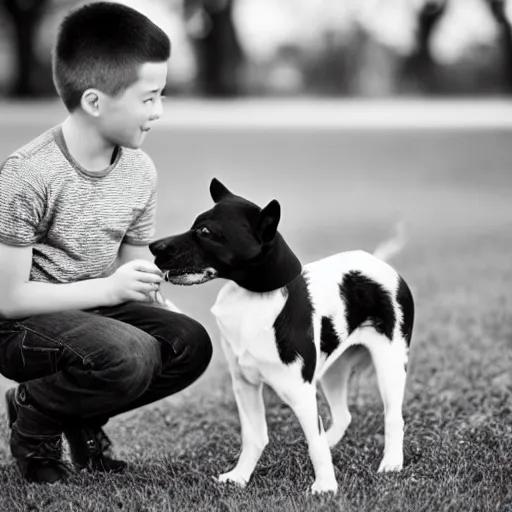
x=353 y=290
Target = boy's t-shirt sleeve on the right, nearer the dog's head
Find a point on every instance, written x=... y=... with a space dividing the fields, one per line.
x=142 y=229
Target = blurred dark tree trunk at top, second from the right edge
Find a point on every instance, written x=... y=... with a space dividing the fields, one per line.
x=420 y=67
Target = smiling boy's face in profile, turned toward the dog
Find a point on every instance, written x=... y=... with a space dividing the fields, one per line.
x=126 y=118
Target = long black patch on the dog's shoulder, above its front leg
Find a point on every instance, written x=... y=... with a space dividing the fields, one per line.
x=293 y=328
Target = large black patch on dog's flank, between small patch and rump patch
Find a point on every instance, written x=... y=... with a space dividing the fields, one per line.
x=367 y=301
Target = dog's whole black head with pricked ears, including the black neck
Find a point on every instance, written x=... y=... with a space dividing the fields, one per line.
x=233 y=240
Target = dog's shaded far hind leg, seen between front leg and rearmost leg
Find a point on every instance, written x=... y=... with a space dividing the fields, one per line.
x=335 y=387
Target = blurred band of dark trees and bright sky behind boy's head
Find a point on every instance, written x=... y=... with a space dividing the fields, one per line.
x=347 y=48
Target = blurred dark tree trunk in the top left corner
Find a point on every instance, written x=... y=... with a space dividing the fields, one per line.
x=25 y=15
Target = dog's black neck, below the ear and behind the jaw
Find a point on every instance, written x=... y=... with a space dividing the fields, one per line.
x=276 y=267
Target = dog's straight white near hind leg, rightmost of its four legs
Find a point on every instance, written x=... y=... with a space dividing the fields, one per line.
x=389 y=359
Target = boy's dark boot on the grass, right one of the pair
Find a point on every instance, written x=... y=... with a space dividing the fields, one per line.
x=91 y=449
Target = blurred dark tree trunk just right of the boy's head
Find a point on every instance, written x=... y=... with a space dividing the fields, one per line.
x=218 y=50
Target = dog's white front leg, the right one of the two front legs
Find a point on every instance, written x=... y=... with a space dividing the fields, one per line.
x=302 y=400
